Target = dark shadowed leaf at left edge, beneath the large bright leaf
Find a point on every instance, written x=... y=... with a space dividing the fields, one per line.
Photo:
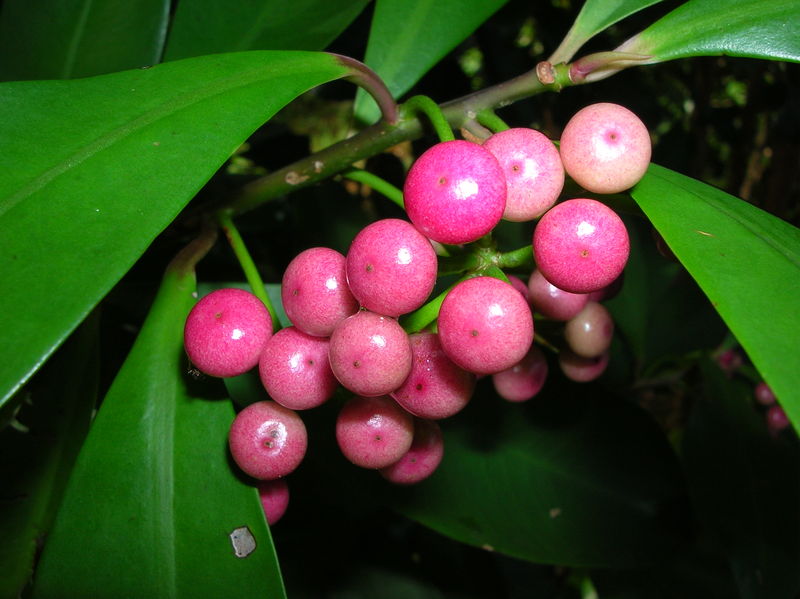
x=36 y=462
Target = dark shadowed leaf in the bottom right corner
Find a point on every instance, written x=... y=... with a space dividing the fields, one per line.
x=744 y=486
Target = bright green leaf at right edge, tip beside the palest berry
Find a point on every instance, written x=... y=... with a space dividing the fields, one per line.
x=745 y=260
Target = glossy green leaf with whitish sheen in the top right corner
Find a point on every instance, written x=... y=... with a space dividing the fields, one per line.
x=756 y=28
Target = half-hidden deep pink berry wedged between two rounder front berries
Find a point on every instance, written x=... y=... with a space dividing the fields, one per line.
x=436 y=387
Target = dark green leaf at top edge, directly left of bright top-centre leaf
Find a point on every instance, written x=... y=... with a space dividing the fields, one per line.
x=211 y=26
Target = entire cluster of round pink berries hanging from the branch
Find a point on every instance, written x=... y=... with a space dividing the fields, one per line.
x=344 y=310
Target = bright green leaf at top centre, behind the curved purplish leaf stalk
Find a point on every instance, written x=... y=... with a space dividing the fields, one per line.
x=408 y=37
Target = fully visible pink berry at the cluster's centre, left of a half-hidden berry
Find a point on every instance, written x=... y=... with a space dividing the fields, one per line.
x=370 y=354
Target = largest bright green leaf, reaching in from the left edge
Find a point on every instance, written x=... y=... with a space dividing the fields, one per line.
x=94 y=169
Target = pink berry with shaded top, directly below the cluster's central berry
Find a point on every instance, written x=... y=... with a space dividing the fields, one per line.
x=373 y=432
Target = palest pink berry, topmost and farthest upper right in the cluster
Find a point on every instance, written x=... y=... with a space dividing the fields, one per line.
x=605 y=148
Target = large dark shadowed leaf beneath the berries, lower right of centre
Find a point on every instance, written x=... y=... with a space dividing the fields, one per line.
x=575 y=478
